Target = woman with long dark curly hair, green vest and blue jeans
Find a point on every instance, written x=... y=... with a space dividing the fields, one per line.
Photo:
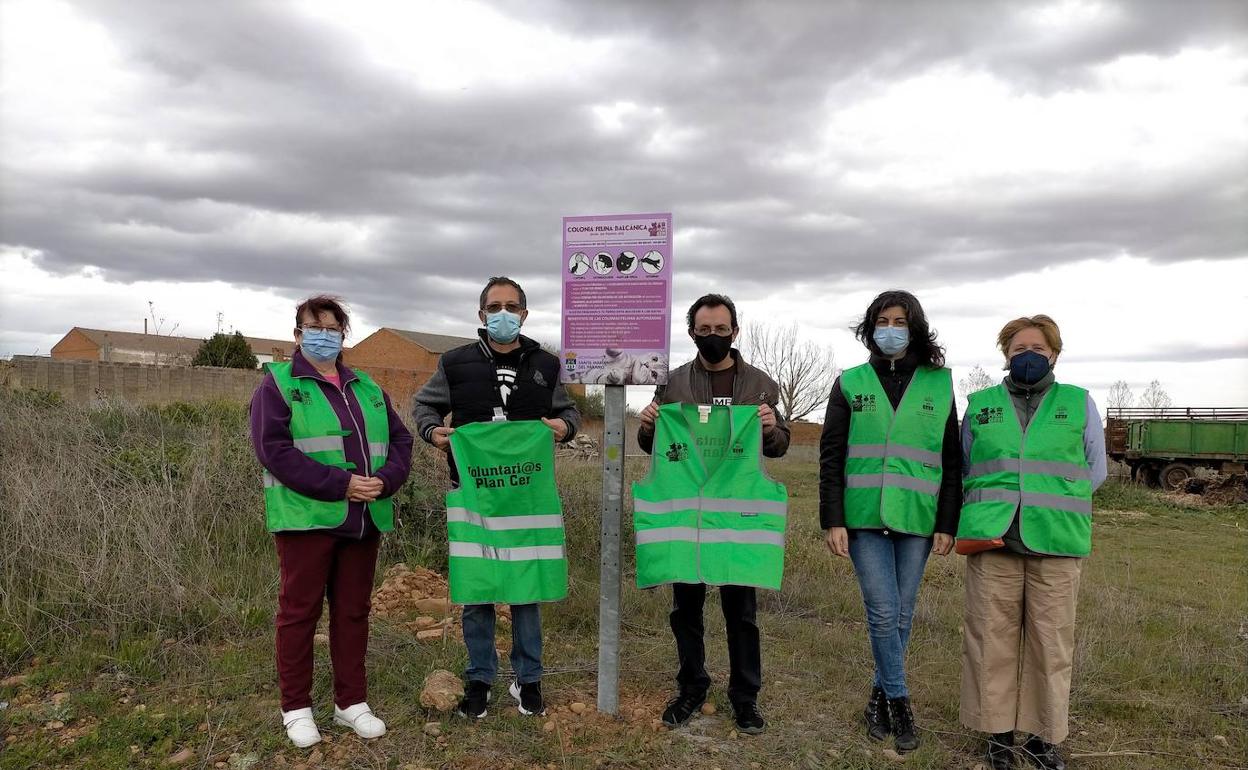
x=890 y=490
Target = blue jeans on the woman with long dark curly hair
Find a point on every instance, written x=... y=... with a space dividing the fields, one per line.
x=889 y=570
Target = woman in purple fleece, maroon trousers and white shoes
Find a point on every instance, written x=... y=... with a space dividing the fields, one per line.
x=334 y=452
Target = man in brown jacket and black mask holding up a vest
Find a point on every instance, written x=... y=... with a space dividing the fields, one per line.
x=718 y=376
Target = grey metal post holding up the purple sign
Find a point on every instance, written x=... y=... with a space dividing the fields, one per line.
x=615 y=405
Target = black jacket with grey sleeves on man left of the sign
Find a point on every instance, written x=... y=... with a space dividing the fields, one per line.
x=466 y=387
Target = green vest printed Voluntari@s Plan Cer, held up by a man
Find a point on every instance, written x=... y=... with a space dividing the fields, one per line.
x=505 y=522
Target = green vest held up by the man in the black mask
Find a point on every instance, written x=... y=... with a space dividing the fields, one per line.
x=708 y=512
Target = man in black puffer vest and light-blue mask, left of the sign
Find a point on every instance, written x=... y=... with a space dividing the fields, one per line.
x=502 y=376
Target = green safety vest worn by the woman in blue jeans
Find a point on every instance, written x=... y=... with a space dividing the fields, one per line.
x=893 y=467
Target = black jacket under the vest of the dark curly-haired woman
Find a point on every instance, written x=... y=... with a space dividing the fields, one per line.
x=834 y=444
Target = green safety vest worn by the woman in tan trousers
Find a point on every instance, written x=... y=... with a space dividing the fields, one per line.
x=1043 y=470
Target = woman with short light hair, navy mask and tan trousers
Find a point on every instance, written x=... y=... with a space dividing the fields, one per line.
x=1034 y=454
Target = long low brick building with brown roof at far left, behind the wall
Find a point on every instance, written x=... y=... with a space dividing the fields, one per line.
x=162 y=350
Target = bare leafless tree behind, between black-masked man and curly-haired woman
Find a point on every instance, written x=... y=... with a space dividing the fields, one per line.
x=803 y=370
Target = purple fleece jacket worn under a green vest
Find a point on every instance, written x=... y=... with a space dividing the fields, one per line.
x=275 y=449
